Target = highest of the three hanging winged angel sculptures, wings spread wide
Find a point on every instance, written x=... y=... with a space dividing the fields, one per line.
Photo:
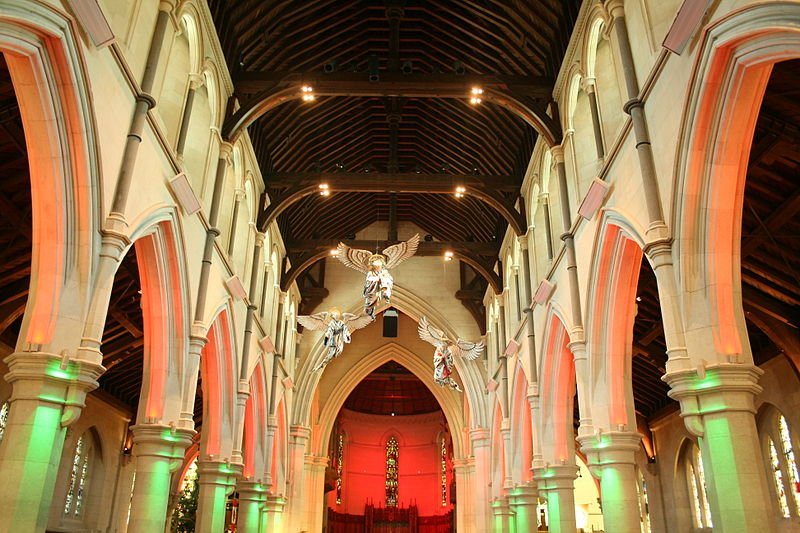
x=379 y=282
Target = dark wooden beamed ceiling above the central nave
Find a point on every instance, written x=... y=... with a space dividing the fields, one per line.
x=401 y=72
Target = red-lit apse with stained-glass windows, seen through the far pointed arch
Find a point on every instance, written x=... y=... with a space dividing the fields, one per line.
x=391 y=457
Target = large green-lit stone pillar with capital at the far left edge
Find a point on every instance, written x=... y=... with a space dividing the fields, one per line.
x=48 y=394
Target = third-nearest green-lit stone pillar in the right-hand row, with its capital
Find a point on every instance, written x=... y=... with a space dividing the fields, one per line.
x=557 y=484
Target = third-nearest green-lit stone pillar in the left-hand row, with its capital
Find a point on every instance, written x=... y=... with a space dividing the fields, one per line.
x=215 y=480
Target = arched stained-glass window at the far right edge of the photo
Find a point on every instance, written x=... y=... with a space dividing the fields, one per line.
x=782 y=465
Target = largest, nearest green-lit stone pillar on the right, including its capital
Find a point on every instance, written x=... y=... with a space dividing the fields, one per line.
x=717 y=406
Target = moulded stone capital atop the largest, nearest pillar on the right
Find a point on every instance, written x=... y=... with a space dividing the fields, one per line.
x=713 y=390
